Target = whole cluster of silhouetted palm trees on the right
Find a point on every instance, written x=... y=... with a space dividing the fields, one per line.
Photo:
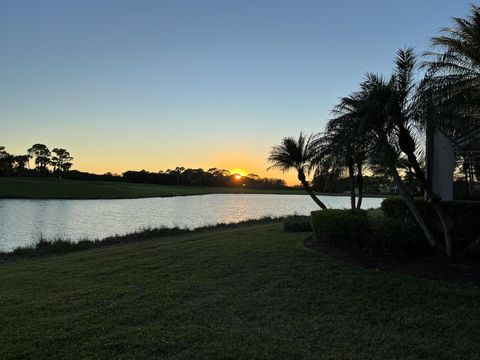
x=384 y=124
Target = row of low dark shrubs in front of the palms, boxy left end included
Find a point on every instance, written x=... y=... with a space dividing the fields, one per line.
x=378 y=235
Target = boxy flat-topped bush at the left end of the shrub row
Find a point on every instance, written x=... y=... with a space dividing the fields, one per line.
x=340 y=228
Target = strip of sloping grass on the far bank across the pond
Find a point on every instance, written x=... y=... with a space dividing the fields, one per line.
x=50 y=188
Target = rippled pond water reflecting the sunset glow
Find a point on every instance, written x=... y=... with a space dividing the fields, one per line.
x=23 y=222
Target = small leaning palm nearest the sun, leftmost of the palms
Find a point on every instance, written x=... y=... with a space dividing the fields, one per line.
x=297 y=154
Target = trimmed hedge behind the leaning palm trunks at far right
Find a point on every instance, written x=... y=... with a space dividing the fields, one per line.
x=465 y=216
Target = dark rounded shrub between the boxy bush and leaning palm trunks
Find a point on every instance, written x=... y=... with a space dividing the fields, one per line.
x=393 y=238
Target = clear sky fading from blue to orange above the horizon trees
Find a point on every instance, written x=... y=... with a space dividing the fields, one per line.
x=214 y=83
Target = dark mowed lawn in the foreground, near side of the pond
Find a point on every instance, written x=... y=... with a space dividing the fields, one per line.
x=245 y=292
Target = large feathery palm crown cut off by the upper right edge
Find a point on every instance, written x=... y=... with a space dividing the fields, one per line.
x=451 y=87
